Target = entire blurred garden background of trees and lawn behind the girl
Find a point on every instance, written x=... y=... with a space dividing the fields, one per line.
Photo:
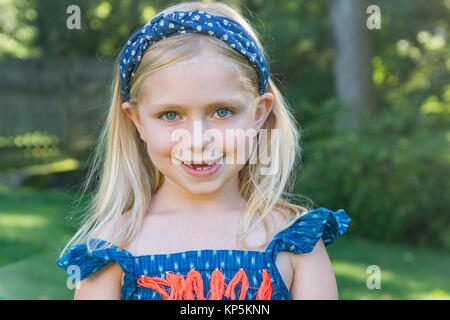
x=368 y=81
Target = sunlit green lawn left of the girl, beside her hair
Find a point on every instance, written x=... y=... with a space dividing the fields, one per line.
x=33 y=228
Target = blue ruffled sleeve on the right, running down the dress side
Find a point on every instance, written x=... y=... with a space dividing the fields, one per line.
x=302 y=236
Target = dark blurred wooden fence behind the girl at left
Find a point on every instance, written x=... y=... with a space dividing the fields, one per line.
x=51 y=108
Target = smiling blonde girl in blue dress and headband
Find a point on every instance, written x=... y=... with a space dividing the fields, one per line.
x=207 y=217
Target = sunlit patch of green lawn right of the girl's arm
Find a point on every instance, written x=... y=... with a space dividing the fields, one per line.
x=406 y=272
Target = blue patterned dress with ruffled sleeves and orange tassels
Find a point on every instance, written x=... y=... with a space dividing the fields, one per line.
x=211 y=272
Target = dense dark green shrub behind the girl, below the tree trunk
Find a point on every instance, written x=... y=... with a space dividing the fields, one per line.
x=392 y=177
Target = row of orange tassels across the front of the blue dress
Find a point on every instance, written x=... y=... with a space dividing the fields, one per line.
x=192 y=286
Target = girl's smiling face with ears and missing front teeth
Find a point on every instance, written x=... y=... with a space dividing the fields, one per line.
x=184 y=102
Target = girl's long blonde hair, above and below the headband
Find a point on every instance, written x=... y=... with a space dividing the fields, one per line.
x=126 y=173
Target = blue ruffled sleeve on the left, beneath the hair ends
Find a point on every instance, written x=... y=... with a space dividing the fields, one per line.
x=79 y=259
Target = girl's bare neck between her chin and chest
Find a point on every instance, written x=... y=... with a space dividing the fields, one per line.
x=172 y=197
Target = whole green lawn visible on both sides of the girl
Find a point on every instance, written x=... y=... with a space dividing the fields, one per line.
x=34 y=227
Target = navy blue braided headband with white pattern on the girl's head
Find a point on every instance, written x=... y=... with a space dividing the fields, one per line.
x=179 y=22
